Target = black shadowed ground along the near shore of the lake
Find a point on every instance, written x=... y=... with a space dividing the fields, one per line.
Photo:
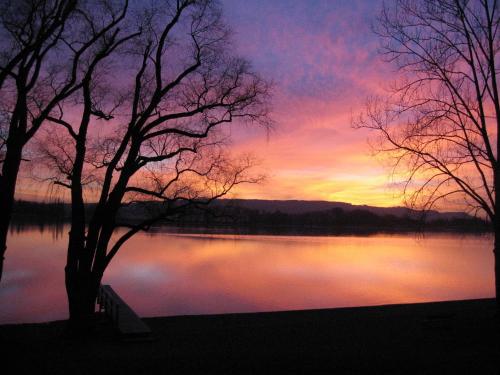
x=432 y=338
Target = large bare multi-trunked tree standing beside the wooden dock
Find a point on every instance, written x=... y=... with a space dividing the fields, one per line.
x=176 y=86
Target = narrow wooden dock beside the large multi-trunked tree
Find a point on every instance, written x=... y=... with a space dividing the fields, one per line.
x=126 y=321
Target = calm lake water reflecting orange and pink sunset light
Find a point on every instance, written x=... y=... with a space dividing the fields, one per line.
x=173 y=274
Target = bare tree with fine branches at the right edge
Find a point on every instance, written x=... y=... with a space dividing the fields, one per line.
x=440 y=124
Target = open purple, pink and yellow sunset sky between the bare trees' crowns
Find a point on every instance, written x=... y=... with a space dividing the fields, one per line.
x=322 y=57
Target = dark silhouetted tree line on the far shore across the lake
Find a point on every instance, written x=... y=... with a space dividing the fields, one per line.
x=325 y=221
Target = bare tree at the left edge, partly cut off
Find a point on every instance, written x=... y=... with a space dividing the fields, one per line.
x=47 y=48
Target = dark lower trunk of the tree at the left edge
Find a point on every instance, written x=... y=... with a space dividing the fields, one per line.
x=8 y=179
